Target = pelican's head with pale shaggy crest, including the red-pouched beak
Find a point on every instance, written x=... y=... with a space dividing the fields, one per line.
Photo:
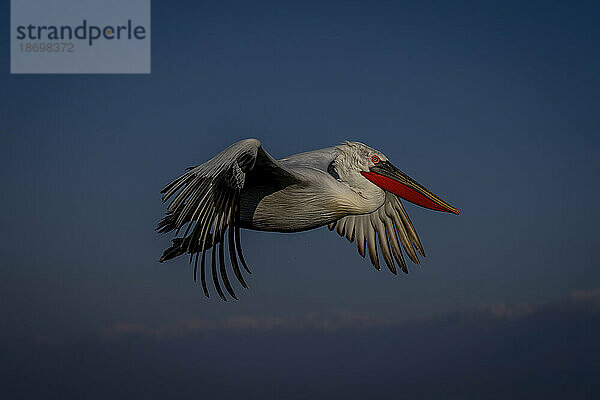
x=366 y=168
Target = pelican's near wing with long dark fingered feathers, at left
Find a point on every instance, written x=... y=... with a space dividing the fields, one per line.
x=206 y=202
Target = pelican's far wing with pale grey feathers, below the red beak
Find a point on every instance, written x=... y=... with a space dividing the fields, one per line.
x=388 y=223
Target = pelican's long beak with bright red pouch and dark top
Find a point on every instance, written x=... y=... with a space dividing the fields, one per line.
x=390 y=178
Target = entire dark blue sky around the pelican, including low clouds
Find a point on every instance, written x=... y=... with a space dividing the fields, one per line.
x=492 y=106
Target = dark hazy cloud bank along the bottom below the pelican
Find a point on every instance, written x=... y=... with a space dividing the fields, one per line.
x=517 y=351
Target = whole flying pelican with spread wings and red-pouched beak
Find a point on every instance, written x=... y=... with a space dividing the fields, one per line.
x=350 y=187
